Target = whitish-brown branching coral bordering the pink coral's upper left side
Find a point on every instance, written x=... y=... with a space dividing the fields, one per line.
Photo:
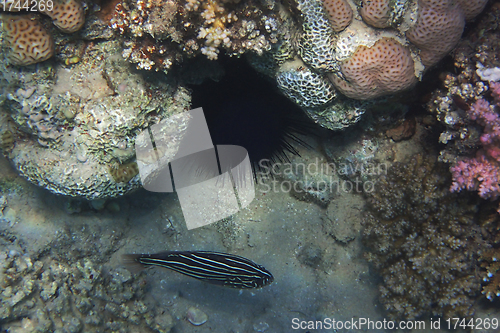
x=473 y=56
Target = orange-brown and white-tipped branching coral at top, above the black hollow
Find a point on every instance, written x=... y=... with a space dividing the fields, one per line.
x=160 y=33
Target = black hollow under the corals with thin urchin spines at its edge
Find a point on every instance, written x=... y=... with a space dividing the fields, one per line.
x=243 y=108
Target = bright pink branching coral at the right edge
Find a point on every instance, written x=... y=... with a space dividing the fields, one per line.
x=482 y=173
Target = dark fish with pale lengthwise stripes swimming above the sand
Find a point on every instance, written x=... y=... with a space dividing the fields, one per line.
x=212 y=267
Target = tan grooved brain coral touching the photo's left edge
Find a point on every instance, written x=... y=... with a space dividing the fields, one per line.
x=27 y=40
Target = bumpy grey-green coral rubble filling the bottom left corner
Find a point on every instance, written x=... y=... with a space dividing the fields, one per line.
x=59 y=296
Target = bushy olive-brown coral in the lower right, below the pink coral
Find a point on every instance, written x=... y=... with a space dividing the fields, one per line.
x=424 y=241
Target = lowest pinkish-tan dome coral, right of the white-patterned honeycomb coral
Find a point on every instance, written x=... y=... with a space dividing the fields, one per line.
x=385 y=68
